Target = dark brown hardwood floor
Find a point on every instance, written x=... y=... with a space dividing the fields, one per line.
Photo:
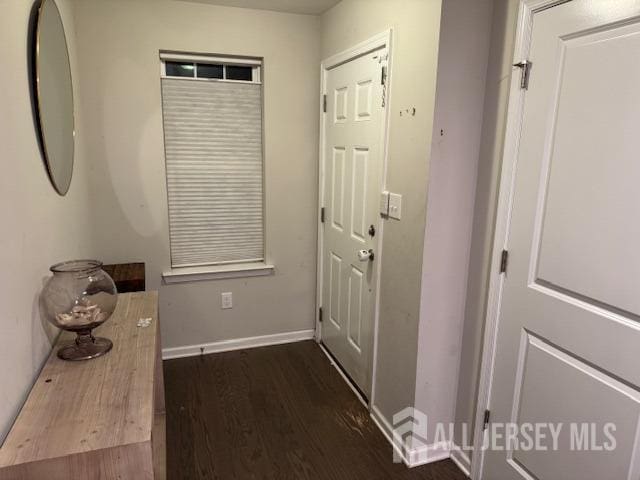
x=278 y=412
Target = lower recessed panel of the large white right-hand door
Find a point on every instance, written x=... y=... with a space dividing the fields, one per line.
x=578 y=392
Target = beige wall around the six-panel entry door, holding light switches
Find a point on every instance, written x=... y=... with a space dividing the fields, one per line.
x=415 y=26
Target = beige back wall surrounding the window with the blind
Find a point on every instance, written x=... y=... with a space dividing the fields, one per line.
x=119 y=43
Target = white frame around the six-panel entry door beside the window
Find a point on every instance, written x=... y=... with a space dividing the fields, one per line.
x=381 y=40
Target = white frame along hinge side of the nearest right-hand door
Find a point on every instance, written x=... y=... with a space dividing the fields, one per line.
x=515 y=112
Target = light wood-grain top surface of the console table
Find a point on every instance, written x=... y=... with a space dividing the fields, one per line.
x=77 y=407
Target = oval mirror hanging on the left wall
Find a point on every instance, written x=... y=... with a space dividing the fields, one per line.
x=54 y=92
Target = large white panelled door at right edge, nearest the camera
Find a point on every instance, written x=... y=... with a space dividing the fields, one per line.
x=568 y=344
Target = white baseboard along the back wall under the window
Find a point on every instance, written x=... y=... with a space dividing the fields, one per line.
x=237 y=344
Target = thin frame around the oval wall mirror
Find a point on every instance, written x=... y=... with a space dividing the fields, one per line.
x=60 y=189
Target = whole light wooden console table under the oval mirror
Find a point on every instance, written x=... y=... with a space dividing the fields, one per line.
x=101 y=418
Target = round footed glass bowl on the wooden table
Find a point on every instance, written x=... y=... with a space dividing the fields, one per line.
x=78 y=298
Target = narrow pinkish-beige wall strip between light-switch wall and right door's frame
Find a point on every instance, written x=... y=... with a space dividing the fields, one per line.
x=465 y=33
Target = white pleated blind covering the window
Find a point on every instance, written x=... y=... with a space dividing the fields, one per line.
x=213 y=147
